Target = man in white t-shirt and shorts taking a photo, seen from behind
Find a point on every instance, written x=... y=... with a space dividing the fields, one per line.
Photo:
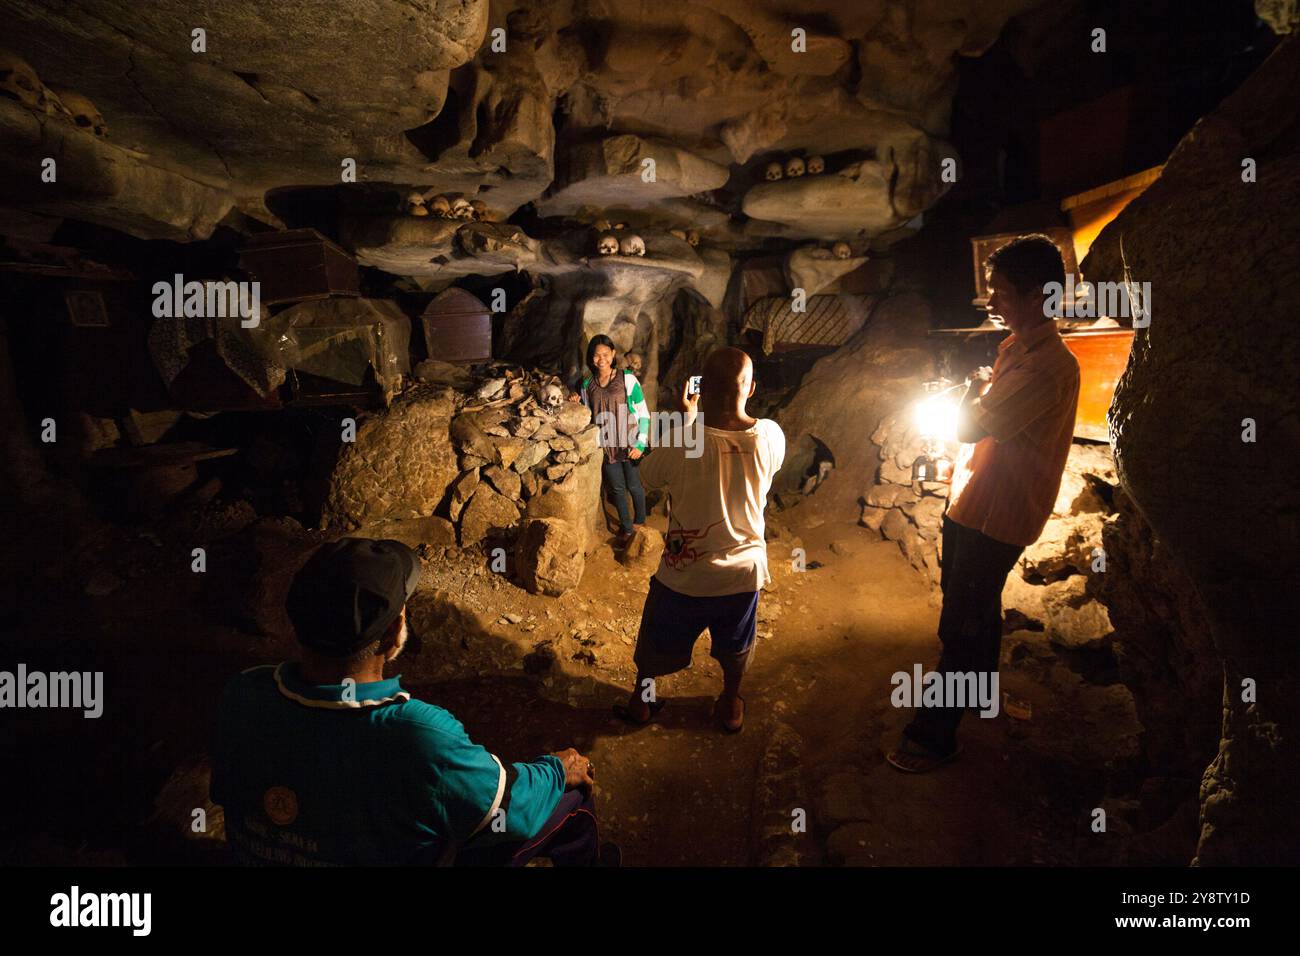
x=716 y=557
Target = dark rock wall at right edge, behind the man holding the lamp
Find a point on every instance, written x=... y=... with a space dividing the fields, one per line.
x=1221 y=349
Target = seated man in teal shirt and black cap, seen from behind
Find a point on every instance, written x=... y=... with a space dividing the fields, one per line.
x=324 y=762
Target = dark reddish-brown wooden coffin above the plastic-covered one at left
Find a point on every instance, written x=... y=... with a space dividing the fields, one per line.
x=298 y=266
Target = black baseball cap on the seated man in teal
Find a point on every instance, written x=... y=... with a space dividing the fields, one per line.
x=349 y=594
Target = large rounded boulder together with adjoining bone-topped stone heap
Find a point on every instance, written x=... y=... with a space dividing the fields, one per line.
x=469 y=456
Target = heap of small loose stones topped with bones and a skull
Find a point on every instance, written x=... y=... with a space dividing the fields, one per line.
x=518 y=432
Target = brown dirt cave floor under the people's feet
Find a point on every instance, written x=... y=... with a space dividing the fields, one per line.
x=530 y=676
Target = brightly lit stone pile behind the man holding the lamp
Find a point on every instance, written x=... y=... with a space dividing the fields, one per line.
x=1054 y=587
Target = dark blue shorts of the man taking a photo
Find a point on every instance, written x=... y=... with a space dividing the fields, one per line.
x=671 y=624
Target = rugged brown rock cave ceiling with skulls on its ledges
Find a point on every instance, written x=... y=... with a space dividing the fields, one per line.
x=557 y=127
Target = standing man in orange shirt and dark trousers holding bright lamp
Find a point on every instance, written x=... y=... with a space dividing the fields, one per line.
x=1016 y=438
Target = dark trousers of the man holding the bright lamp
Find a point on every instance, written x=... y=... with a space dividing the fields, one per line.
x=973 y=572
